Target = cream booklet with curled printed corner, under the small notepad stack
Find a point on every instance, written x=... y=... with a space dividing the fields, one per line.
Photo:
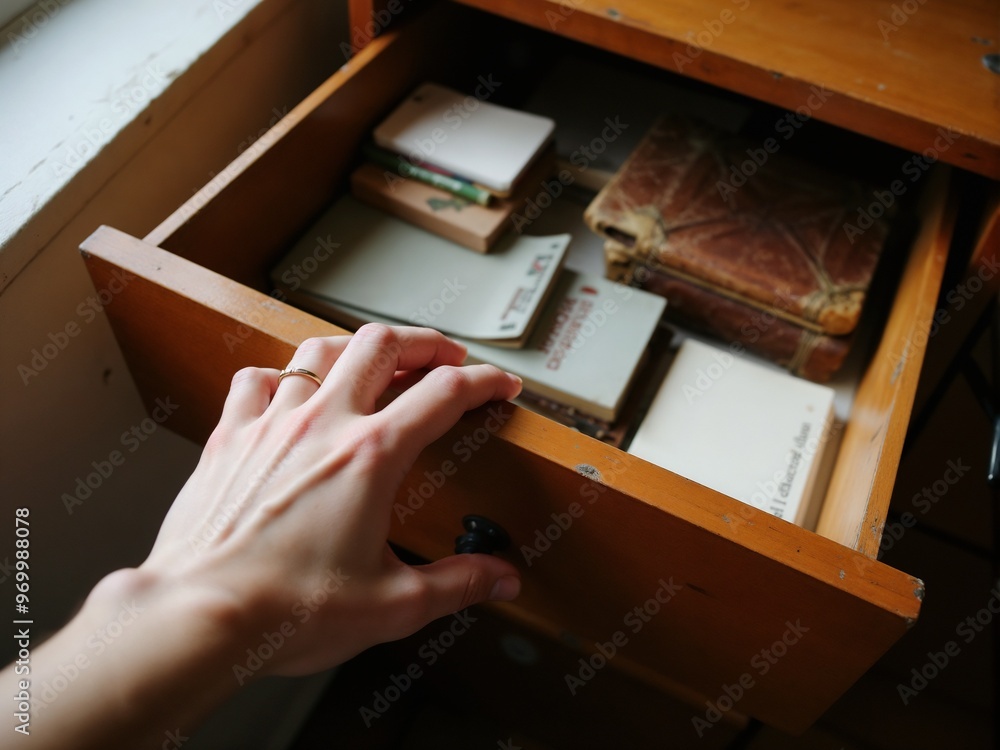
x=360 y=257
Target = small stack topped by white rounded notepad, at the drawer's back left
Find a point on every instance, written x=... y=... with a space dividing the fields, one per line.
x=456 y=165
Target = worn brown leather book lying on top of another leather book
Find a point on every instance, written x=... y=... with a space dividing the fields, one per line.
x=744 y=220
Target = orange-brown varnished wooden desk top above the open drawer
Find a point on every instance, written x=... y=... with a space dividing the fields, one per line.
x=900 y=86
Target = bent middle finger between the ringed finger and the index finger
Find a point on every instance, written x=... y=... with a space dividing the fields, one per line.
x=377 y=352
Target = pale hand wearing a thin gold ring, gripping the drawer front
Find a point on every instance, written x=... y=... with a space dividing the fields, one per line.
x=291 y=501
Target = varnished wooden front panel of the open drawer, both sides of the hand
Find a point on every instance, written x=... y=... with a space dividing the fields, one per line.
x=744 y=575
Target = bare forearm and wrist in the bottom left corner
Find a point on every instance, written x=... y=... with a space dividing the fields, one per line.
x=143 y=658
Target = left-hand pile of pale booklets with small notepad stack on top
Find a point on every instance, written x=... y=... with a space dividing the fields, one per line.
x=577 y=340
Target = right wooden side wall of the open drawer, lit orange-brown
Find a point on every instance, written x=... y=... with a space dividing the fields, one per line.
x=873 y=441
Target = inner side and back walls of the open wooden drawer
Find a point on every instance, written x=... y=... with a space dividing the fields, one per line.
x=249 y=216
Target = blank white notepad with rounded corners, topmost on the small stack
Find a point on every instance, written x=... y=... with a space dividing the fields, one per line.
x=473 y=138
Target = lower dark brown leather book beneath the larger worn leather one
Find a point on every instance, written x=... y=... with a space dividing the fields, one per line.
x=804 y=352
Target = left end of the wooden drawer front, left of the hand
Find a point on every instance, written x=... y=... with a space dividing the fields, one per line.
x=176 y=342
